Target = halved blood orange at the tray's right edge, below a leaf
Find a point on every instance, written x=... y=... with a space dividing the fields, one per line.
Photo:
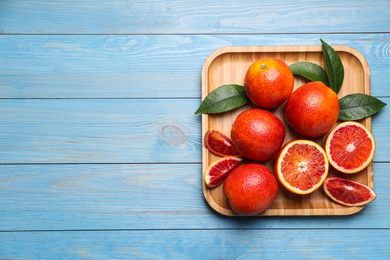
x=350 y=147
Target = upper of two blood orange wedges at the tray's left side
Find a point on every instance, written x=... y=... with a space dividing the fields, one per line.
x=219 y=144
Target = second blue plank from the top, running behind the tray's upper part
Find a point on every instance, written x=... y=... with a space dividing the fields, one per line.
x=145 y=66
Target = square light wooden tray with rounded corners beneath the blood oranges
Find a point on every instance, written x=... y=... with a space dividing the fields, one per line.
x=228 y=65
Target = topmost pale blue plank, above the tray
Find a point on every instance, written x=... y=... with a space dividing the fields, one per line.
x=200 y=17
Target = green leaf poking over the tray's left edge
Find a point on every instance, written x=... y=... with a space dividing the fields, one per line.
x=222 y=99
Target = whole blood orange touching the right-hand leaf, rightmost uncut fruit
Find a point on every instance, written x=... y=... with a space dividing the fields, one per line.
x=312 y=109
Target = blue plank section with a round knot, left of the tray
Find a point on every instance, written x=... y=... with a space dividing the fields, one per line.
x=99 y=130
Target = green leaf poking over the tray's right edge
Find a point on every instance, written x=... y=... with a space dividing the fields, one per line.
x=358 y=106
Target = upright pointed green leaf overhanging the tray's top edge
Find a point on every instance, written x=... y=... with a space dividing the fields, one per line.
x=334 y=67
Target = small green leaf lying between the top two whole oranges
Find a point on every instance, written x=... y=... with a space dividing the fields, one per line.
x=310 y=71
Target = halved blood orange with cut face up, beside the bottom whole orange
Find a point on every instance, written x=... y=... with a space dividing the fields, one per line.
x=301 y=166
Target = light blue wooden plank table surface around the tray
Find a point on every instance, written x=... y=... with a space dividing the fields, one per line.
x=100 y=150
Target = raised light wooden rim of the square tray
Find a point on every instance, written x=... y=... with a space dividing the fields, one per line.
x=280 y=49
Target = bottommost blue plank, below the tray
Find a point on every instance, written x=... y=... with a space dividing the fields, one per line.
x=198 y=244
